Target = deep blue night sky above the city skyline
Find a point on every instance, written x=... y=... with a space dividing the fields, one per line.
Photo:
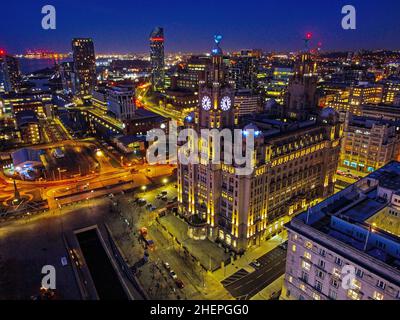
x=124 y=26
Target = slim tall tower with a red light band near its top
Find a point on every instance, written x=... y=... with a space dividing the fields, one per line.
x=157 y=58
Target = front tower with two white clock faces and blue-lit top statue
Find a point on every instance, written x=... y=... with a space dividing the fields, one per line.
x=216 y=95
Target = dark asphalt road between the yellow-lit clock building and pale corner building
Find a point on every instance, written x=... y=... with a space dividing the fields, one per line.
x=272 y=267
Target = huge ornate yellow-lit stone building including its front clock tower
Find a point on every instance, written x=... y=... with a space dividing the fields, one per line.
x=295 y=164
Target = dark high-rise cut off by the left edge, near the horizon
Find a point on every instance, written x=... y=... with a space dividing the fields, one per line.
x=11 y=73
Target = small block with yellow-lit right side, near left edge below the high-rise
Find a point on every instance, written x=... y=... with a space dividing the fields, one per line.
x=27 y=124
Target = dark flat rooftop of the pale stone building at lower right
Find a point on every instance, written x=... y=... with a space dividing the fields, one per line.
x=348 y=215
